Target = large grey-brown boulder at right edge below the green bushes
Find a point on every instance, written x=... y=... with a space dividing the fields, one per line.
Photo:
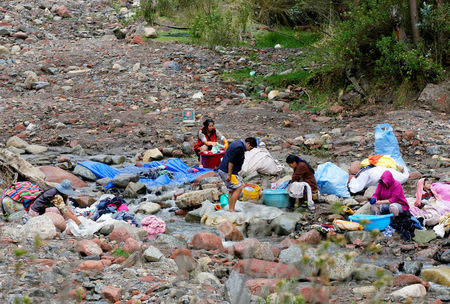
x=437 y=95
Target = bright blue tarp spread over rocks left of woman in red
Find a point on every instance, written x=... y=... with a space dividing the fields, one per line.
x=181 y=172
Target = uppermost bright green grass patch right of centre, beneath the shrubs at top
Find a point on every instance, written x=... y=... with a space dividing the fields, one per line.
x=287 y=38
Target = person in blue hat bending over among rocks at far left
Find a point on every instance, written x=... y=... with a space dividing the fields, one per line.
x=56 y=197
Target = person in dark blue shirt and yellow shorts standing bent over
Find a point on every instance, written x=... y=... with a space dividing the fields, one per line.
x=230 y=166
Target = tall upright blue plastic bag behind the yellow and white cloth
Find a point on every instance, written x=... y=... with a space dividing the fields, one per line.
x=386 y=143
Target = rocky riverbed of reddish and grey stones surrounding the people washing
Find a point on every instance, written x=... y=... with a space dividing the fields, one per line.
x=79 y=85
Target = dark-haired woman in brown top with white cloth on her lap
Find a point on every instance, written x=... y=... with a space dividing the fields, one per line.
x=303 y=173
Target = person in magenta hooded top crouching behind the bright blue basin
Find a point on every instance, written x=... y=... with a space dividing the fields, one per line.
x=389 y=196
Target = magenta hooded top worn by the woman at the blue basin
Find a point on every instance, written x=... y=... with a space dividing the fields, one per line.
x=391 y=190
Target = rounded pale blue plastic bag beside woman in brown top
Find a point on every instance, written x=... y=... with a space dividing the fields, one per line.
x=332 y=180
